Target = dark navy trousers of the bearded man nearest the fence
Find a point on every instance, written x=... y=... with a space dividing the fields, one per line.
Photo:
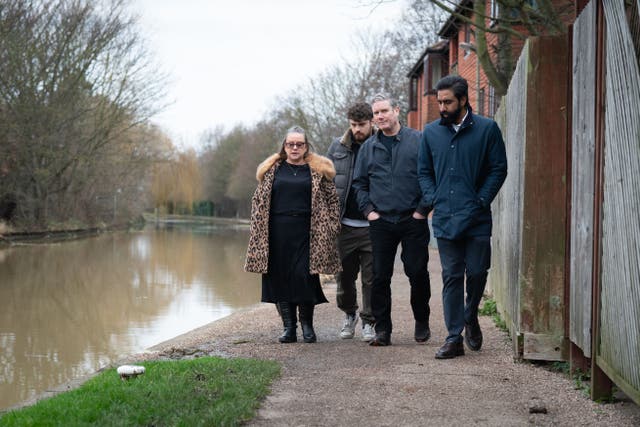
x=470 y=257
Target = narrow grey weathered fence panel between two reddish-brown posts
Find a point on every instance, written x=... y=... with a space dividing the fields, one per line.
x=582 y=177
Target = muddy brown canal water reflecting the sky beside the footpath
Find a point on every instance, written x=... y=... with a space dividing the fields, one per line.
x=68 y=309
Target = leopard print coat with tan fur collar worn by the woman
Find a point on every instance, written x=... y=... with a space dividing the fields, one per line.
x=325 y=217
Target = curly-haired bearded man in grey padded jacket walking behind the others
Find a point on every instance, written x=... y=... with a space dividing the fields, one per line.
x=354 y=244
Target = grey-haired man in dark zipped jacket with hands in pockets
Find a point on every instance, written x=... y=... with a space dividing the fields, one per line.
x=388 y=194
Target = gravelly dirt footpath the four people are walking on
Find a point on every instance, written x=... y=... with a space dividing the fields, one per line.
x=337 y=382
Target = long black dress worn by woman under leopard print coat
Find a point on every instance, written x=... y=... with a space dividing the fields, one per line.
x=288 y=278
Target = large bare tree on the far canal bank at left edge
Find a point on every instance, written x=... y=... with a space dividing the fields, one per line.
x=75 y=79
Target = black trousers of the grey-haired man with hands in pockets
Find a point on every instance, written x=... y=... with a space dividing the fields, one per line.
x=413 y=235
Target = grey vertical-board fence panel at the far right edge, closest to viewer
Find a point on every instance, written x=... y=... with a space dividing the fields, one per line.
x=618 y=350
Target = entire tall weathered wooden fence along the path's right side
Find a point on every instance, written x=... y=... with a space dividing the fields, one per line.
x=585 y=298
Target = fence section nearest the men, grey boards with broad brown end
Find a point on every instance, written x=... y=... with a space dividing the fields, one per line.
x=532 y=298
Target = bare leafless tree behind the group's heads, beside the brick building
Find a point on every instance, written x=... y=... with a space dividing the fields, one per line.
x=379 y=64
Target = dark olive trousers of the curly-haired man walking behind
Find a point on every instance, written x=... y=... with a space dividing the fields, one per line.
x=354 y=246
